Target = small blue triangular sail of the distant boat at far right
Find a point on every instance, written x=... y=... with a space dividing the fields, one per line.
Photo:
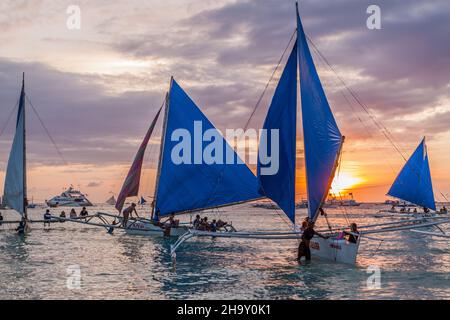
x=413 y=183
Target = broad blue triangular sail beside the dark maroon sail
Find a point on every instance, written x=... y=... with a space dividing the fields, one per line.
x=194 y=184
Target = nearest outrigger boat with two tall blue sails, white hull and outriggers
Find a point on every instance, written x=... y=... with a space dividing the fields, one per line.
x=323 y=143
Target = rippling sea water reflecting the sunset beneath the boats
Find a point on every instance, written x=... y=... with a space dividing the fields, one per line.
x=119 y=266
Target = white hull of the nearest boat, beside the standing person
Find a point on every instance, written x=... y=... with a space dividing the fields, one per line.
x=341 y=251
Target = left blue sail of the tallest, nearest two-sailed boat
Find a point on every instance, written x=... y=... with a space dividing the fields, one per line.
x=282 y=116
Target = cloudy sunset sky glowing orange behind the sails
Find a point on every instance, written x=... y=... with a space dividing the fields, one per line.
x=98 y=88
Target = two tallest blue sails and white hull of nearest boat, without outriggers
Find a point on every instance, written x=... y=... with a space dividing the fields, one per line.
x=323 y=143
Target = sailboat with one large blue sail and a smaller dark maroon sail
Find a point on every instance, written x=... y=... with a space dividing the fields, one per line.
x=190 y=186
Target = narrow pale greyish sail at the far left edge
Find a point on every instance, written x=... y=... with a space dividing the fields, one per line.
x=14 y=189
